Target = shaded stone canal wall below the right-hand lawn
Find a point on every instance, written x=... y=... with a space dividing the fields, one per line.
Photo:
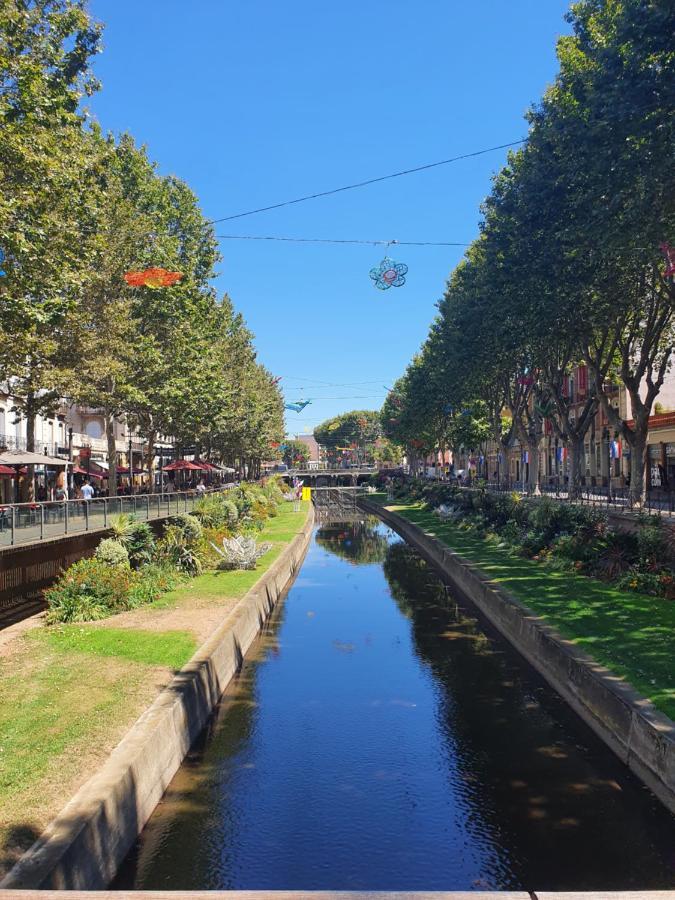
x=641 y=736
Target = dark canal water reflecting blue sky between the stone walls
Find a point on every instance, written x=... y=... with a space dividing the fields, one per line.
x=380 y=737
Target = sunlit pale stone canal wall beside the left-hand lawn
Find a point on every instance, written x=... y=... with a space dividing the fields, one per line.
x=84 y=846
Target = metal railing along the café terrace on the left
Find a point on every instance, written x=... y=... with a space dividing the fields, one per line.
x=27 y=523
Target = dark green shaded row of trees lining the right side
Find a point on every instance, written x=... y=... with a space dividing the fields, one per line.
x=569 y=268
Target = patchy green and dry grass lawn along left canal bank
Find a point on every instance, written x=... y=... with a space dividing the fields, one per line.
x=68 y=693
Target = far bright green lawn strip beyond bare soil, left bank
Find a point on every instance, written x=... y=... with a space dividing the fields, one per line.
x=279 y=530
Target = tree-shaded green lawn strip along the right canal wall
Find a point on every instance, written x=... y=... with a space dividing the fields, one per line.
x=630 y=633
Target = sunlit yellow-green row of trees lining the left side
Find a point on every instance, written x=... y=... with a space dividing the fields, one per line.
x=78 y=209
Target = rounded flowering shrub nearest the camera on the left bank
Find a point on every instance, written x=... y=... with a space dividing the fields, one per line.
x=89 y=589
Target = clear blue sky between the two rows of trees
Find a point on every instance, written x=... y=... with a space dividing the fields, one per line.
x=257 y=102
